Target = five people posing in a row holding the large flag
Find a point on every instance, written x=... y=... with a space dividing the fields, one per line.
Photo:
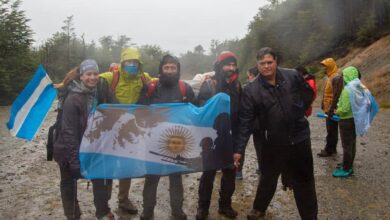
x=273 y=107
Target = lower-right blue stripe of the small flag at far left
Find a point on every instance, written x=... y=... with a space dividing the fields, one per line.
x=37 y=113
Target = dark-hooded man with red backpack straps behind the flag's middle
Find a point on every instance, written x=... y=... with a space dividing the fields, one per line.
x=168 y=89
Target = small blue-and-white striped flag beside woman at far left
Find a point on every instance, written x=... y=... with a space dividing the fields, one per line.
x=31 y=106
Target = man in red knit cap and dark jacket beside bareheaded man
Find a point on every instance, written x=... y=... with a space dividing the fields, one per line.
x=224 y=80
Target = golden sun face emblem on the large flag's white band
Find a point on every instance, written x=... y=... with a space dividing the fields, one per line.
x=176 y=141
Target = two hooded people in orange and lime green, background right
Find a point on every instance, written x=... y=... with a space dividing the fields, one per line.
x=339 y=98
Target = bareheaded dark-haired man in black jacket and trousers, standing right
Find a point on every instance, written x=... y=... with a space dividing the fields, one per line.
x=276 y=98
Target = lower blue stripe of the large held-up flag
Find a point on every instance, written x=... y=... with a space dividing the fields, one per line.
x=101 y=166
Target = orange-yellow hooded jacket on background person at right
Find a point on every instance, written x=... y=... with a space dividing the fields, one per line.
x=331 y=72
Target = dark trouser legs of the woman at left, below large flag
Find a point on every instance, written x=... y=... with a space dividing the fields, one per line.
x=68 y=187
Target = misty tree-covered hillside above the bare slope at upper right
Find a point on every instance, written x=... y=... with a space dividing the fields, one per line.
x=305 y=30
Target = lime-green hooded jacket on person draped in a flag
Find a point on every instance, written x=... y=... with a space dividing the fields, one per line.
x=344 y=108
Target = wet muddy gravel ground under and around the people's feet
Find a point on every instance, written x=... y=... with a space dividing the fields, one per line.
x=29 y=185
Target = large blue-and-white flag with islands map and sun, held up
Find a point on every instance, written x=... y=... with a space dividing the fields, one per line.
x=124 y=141
